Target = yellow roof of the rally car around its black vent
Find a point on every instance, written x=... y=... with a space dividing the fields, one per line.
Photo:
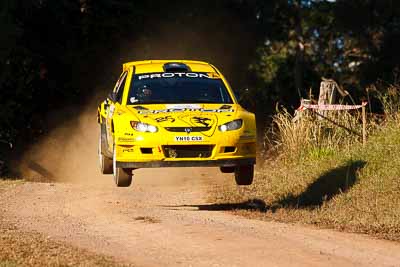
x=149 y=66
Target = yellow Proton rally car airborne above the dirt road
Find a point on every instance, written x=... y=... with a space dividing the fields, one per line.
x=176 y=113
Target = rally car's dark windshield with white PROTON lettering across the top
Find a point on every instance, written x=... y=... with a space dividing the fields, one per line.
x=174 y=88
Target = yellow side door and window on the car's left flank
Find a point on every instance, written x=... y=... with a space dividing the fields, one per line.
x=114 y=98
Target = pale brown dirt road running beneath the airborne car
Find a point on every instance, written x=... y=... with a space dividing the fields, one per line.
x=164 y=220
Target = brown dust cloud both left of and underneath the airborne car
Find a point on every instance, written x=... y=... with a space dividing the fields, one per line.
x=69 y=154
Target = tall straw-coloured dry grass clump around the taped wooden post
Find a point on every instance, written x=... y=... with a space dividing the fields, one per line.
x=310 y=134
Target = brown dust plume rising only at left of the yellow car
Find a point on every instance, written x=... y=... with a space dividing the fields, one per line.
x=66 y=154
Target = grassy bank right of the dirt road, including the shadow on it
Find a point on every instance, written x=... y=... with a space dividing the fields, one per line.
x=340 y=185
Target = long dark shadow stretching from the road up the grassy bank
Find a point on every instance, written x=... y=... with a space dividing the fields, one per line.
x=323 y=189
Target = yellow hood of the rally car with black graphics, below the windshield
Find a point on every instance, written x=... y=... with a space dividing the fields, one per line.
x=175 y=117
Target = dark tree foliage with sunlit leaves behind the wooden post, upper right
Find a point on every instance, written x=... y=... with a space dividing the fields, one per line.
x=351 y=41
